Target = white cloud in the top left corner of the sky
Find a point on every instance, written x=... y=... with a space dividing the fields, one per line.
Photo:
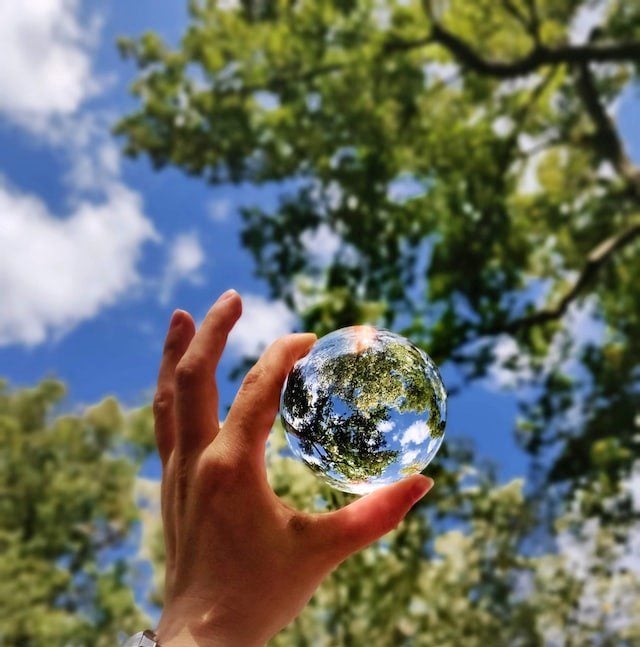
x=45 y=68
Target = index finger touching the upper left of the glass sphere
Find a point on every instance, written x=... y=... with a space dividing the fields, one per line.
x=254 y=410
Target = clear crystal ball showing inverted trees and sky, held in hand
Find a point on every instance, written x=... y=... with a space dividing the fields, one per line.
x=364 y=408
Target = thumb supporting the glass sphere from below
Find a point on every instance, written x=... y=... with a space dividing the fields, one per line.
x=364 y=521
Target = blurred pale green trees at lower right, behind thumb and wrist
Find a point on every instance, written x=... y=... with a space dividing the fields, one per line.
x=425 y=586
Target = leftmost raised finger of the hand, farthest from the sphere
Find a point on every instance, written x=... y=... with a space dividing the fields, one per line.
x=181 y=332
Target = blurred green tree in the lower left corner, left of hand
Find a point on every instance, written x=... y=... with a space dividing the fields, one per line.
x=67 y=509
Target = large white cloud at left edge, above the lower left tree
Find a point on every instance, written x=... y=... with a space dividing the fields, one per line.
x=56 y=272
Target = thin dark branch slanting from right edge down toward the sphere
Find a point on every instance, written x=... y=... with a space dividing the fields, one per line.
x=596 y=260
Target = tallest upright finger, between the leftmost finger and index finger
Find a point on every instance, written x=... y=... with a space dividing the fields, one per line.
x=197 y=394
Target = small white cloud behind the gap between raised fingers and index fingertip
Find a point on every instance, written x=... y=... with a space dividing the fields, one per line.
x=262 y=322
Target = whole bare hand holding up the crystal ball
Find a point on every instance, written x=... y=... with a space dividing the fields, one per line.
x=241 y=563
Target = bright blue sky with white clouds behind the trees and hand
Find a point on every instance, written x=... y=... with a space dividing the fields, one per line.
x=96 y=250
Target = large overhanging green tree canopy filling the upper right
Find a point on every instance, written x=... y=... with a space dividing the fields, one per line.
x=462 y=156
